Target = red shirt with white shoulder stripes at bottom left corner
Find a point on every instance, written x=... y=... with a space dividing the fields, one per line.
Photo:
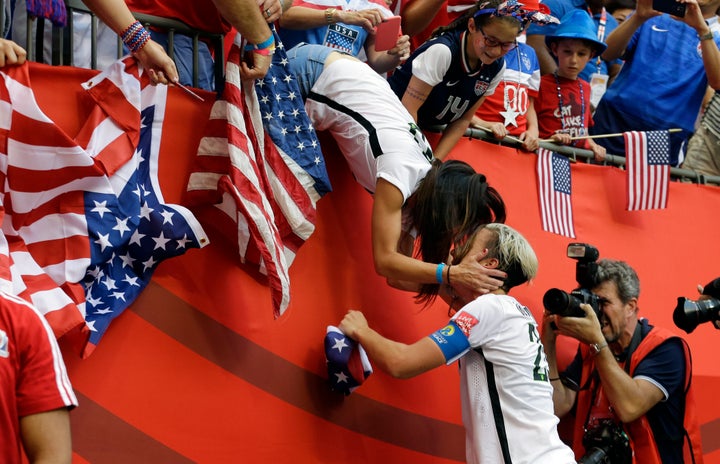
x=32 y=373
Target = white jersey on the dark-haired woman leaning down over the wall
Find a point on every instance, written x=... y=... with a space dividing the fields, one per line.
x=372 y=128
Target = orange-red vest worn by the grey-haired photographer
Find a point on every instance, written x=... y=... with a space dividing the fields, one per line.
x=641 y=436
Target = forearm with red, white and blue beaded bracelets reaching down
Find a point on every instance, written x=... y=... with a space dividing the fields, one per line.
x=150 y=54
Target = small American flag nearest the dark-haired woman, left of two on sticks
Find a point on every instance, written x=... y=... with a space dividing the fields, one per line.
x=555 y=192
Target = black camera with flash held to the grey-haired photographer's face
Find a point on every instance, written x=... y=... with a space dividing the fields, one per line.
x=565 y=304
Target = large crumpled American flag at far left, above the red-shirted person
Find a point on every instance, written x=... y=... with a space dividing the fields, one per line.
x=84 y=220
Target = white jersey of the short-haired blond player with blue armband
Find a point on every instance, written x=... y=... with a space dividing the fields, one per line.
x=507 y=334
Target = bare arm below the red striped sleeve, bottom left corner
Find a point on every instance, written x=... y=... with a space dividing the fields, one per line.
x=46 y=437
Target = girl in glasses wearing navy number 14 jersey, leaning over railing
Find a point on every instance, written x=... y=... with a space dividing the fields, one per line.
x=448 y=77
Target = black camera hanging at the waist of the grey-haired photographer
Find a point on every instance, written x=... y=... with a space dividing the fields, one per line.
x=606 y=443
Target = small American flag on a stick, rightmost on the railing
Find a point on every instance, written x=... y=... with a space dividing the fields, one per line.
x=648 y=169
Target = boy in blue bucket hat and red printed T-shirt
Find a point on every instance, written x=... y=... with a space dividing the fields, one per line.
x=563 y=107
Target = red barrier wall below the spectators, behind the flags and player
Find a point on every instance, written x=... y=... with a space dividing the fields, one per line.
x=199 y=371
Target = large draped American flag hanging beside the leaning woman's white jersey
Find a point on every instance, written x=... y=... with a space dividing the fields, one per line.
x=260 y=164
